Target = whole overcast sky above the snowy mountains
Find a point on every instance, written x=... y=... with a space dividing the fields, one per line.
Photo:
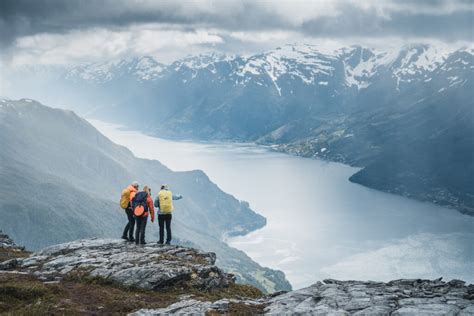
x=73 y=31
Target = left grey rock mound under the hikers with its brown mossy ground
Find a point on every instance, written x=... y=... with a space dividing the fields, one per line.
x=108 y=276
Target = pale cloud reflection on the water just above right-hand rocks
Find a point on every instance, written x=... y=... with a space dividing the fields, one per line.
x=418 y=256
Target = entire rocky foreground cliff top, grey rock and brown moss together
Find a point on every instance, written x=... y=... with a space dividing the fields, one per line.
x=111 y=276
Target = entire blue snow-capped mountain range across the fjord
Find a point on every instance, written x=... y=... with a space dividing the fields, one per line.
x=363 y=106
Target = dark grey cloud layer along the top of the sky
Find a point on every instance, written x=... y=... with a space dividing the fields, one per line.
x=29 y=17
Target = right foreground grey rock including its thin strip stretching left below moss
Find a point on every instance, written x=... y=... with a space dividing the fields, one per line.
x=332 y=297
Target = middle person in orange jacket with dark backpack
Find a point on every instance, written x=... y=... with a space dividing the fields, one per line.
x=142 y=204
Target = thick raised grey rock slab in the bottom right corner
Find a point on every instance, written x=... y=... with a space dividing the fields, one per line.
x=400 y=297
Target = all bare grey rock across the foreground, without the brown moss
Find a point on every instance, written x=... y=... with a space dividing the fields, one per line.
x=155 y=267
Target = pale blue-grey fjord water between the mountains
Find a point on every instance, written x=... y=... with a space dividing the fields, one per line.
x=319 y=224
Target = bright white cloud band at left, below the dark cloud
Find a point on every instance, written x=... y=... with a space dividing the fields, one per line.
x=101 y=44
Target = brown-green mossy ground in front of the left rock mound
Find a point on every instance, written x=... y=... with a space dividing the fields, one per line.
x=79 y=294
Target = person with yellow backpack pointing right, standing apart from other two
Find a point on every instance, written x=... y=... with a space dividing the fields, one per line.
x=164 y=204
